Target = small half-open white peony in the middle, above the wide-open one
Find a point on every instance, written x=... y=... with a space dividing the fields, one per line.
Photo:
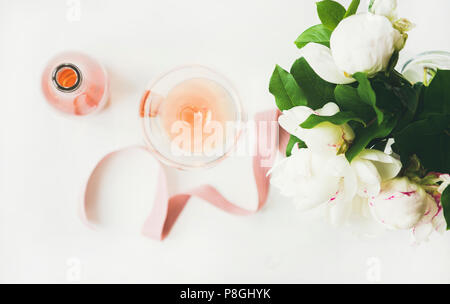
x=325 y=137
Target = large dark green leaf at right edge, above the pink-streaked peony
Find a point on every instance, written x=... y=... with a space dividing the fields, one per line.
x=429 y=139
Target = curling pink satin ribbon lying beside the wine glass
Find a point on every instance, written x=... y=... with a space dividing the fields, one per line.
x=166 y=209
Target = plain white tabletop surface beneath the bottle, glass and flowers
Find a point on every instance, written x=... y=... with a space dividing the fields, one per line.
x=45 y=157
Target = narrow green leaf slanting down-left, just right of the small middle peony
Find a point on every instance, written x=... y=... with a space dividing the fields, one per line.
x=365 y=135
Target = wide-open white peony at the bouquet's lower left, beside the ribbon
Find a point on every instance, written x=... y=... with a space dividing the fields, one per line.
x=313 y=179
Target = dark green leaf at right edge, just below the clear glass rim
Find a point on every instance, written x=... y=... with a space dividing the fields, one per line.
x=437 y=95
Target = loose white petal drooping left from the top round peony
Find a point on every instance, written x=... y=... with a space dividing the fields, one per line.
x=321 y=61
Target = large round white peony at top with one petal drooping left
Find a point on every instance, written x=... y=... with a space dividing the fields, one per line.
x=360 y=43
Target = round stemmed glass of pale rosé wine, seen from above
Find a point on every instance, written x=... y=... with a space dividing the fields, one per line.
x=192 y=117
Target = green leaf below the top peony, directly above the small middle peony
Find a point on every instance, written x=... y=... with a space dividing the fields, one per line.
x=347 y=98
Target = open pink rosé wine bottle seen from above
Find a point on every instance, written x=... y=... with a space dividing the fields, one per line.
x=76 y=84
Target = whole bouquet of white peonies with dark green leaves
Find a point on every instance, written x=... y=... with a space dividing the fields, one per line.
x=363 y=139
